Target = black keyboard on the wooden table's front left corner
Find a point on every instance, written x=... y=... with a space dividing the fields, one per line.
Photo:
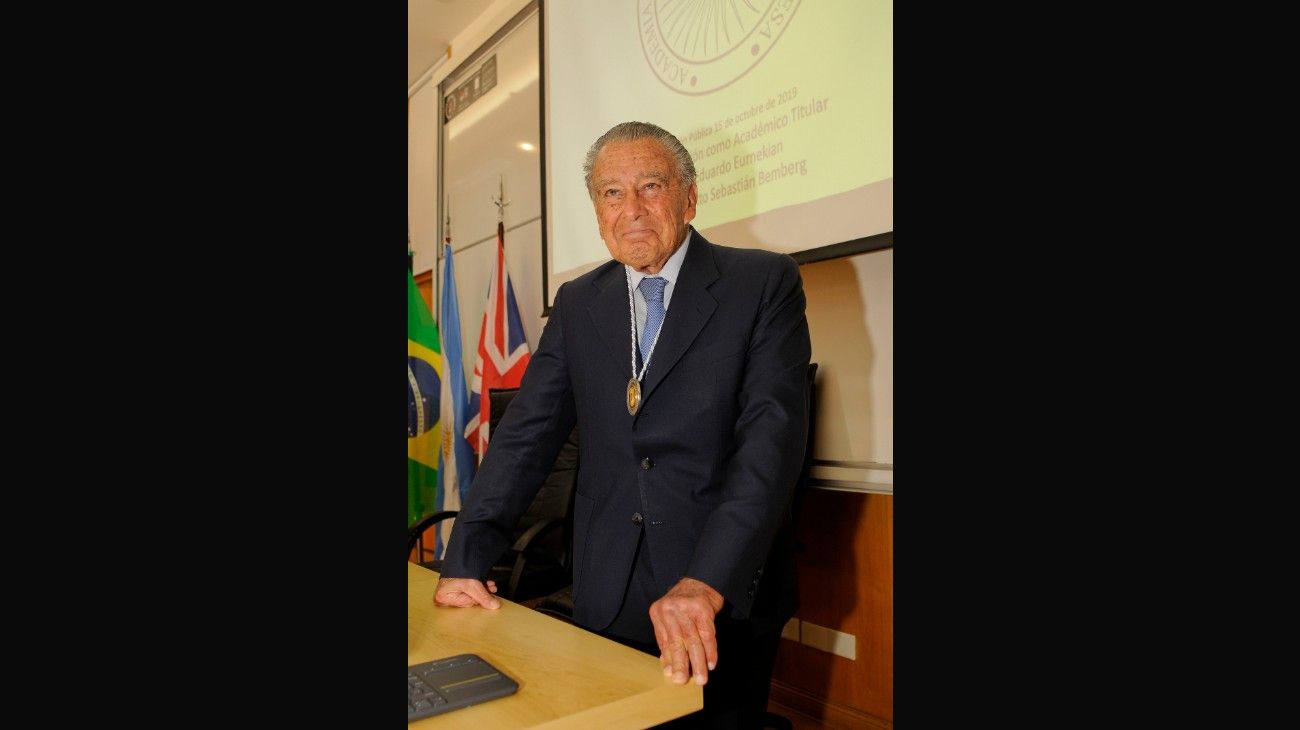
x=450 y=684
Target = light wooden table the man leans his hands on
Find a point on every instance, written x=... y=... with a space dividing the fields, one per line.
x=567 y=677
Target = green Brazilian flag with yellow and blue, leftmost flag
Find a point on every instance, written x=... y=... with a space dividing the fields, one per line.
x=424 y=385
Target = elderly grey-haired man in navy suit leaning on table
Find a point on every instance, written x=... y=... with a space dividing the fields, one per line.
x=684 y=366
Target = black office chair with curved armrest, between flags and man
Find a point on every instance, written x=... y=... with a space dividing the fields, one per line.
x=540 y=562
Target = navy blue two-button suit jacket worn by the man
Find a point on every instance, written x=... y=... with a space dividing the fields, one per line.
x=710 y=460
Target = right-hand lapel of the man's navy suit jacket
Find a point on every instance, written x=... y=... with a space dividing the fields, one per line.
x=691 y=308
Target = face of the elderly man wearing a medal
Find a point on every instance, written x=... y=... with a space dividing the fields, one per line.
x=640 y=203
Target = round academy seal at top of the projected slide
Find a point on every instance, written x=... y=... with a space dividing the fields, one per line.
x=697 y=47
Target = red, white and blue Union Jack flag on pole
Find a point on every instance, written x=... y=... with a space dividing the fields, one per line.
x=502 y=350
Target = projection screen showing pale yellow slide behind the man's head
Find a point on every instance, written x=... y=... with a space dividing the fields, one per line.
x=787 y=107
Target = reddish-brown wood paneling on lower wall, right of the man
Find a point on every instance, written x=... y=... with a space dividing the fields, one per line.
x=846 y=584
